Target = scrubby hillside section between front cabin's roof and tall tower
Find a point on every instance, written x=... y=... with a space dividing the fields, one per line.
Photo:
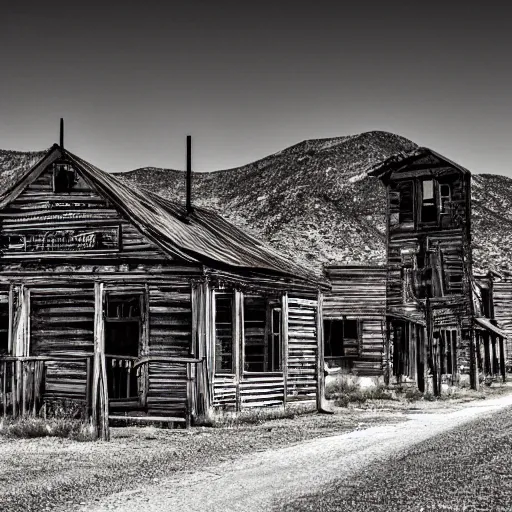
x=312 y=201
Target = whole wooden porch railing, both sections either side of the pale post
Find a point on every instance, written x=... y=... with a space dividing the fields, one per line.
x=26 y=383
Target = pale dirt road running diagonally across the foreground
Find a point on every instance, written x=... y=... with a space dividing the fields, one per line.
x=257 y=481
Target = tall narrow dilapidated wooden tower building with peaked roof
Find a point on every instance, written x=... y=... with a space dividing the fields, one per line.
x=429 y=291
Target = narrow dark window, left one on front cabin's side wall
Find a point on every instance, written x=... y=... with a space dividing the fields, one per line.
x=224 y=333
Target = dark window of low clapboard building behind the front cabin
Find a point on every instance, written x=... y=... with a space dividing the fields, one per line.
x=341 y=338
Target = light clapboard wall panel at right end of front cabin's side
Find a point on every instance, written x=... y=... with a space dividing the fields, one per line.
x=302 y=349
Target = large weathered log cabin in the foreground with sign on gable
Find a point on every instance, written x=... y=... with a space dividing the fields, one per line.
x=133 y=305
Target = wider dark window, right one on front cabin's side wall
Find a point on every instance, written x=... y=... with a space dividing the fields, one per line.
x=262 y=335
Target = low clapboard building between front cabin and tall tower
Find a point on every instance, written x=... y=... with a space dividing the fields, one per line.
x=354 y=313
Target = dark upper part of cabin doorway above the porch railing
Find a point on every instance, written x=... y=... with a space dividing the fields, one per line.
x=122 y=325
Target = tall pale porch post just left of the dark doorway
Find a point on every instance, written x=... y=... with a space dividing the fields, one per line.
x=99 y=382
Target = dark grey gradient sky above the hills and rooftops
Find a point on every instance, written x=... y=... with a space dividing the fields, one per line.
x=247 y=79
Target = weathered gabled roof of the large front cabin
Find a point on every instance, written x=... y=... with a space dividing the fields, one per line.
x=201 y=236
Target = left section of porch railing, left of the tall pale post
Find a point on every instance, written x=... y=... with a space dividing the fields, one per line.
x=23 y=383
